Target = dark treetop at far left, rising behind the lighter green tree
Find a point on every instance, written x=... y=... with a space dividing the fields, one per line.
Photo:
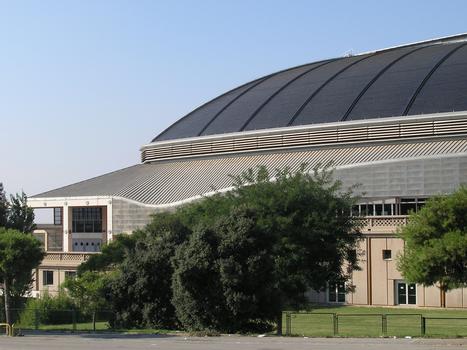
x=20 y=215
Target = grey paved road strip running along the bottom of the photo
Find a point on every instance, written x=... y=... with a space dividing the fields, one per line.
x=136 y=342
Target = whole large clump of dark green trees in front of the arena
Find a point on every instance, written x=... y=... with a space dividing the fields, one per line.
x=233 y=261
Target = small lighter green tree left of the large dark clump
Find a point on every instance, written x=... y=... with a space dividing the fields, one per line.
x=88 y=292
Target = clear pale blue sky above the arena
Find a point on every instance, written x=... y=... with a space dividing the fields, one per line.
x=83 y=84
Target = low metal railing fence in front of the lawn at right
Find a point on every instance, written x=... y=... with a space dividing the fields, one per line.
x=372 y=325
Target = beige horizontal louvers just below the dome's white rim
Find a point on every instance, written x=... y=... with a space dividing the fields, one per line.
x=322 y=136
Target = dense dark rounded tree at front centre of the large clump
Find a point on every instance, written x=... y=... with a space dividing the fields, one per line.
x=224 y=277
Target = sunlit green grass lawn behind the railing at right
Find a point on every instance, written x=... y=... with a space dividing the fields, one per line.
x=367 y=322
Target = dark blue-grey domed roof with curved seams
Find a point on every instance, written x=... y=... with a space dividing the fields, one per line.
x=428 y=77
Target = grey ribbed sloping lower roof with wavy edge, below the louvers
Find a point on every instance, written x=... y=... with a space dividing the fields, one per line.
x=168 y=182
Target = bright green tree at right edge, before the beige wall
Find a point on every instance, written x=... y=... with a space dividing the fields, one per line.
x=435 y=238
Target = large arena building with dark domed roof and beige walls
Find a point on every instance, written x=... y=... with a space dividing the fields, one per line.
x=393 y=121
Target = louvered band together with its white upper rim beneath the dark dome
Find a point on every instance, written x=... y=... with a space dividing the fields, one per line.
x=307 y=135
